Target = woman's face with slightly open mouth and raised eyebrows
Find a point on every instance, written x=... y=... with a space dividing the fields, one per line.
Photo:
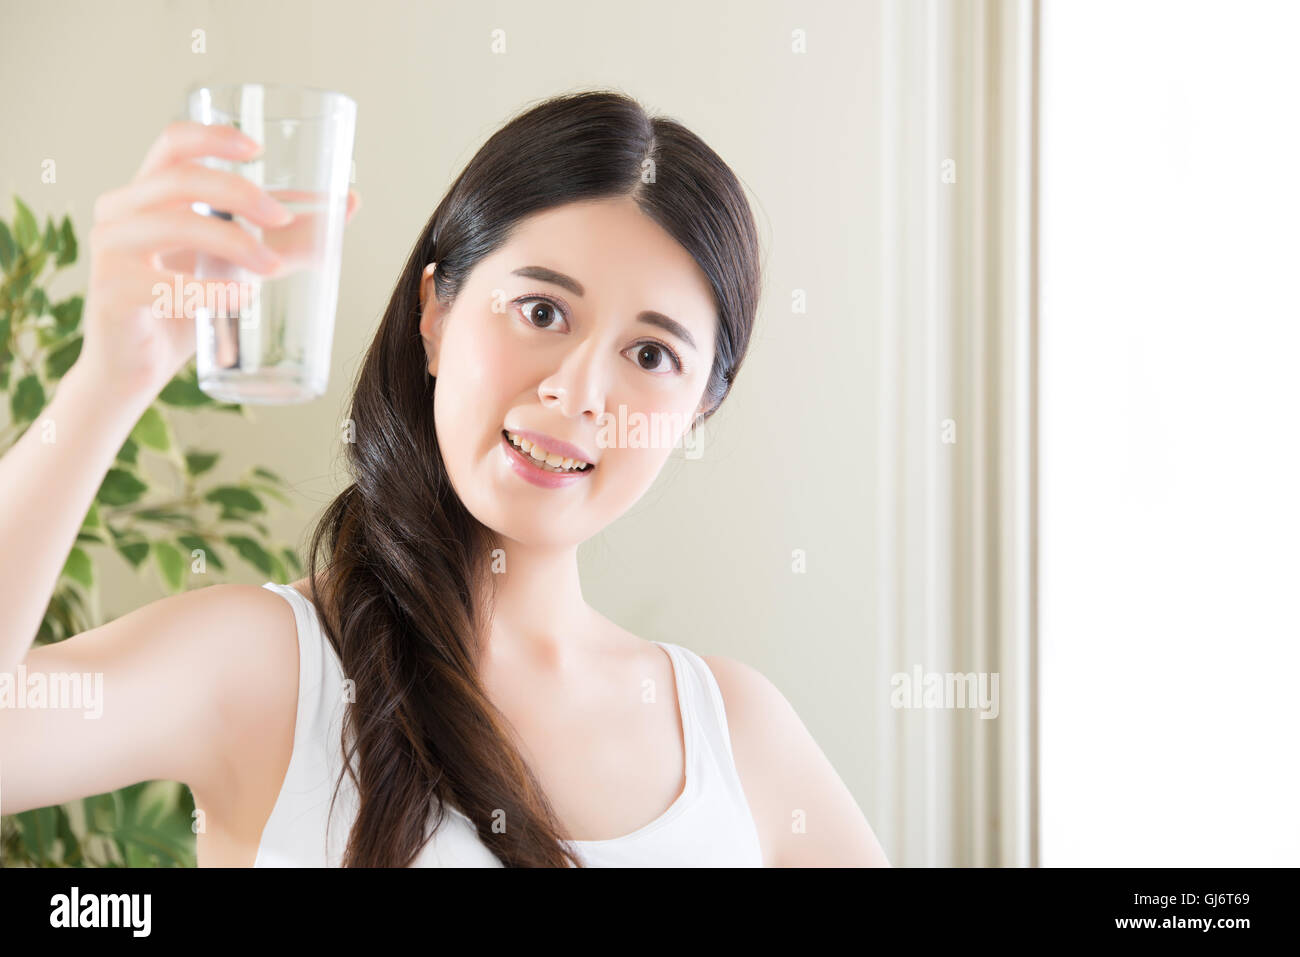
x=590 y=322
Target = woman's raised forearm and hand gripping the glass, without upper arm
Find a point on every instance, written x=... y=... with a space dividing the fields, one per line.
x=51 y=475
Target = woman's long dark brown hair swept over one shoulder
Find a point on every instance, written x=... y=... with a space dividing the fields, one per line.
x=408 y=584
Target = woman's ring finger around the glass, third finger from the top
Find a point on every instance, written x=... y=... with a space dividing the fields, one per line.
x=155 y=233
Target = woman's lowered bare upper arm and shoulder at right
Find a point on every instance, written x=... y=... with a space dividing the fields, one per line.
x=804 y=813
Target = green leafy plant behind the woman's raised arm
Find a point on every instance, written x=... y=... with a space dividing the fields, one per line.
x=175 y=531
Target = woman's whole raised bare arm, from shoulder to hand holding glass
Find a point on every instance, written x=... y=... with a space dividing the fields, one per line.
x=166 y=686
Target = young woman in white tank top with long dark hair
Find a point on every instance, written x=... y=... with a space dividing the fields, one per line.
x=436 y=691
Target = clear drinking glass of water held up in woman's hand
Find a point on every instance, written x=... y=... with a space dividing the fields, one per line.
x=274 y=348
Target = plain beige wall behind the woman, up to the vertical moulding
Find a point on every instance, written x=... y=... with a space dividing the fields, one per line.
x=707 y=558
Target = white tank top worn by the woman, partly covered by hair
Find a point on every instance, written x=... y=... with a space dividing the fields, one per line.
x=708 y=826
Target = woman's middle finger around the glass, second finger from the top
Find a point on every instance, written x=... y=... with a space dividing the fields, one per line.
x=192 y=183
